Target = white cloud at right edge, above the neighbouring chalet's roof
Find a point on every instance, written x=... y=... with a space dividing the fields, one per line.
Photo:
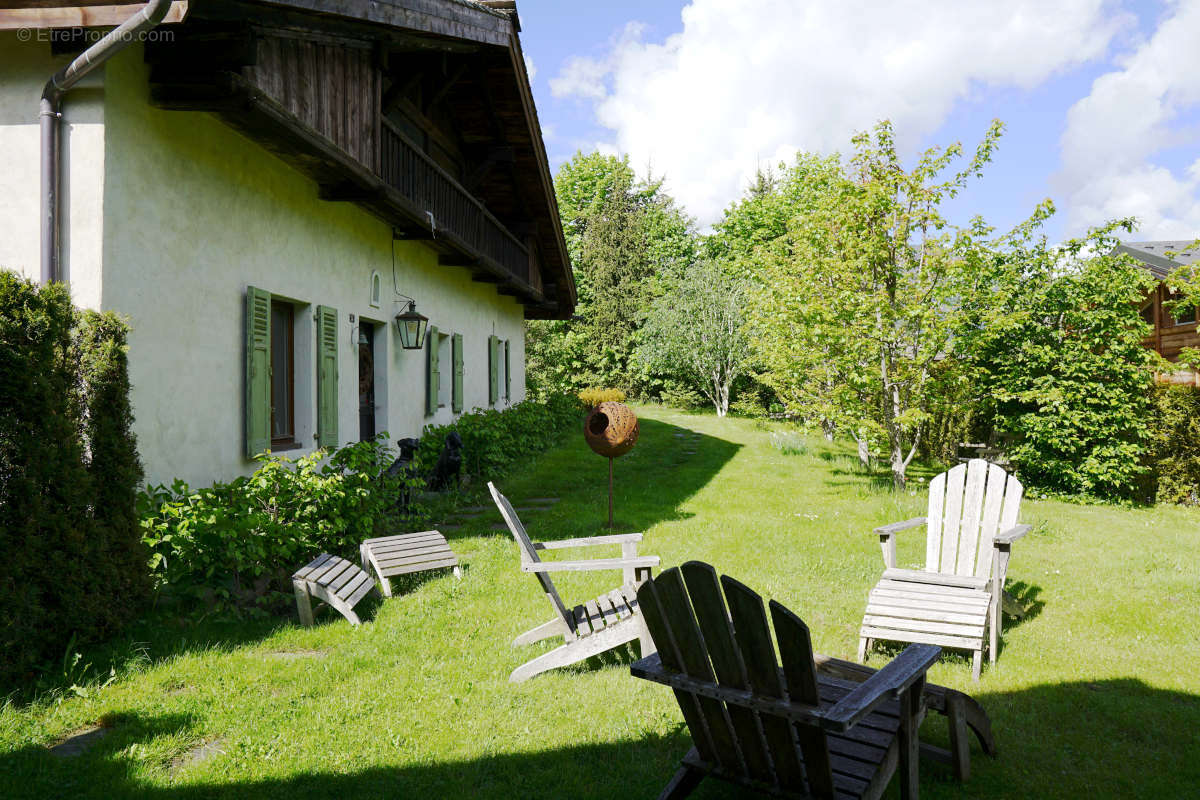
x=1114 y=135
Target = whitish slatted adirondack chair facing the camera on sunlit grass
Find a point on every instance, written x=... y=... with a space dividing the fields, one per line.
x=958 y=598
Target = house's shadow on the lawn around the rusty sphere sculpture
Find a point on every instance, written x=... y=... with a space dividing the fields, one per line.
x=669 y=466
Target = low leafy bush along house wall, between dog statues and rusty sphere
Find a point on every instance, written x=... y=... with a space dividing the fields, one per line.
x=493 y=440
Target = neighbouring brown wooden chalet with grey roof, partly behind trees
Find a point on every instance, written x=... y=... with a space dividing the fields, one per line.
x=1174 y=330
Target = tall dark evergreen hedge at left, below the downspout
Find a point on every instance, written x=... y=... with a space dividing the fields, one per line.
x=71 y=560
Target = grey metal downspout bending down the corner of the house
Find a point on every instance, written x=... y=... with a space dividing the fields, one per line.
x=51 y=122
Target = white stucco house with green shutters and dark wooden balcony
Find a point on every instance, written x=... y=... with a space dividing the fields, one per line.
x=262 y=188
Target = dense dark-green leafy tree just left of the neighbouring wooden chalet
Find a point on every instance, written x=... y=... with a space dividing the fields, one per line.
x=1057 y=348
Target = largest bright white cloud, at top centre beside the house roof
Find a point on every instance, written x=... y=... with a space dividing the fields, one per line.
x=751 y=85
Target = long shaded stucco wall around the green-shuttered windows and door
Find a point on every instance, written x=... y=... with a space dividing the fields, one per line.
x=194 y=214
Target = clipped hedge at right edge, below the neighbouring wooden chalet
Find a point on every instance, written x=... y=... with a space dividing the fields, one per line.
x=1177 y=443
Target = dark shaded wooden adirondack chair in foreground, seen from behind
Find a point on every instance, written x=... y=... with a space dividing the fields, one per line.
x=775 y=725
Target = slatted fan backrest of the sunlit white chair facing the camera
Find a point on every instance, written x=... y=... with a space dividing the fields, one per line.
x=968 y=507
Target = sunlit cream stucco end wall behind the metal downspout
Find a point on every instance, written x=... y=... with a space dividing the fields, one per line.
x=25 y=70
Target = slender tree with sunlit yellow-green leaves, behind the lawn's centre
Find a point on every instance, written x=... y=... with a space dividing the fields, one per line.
x=863 y=302
